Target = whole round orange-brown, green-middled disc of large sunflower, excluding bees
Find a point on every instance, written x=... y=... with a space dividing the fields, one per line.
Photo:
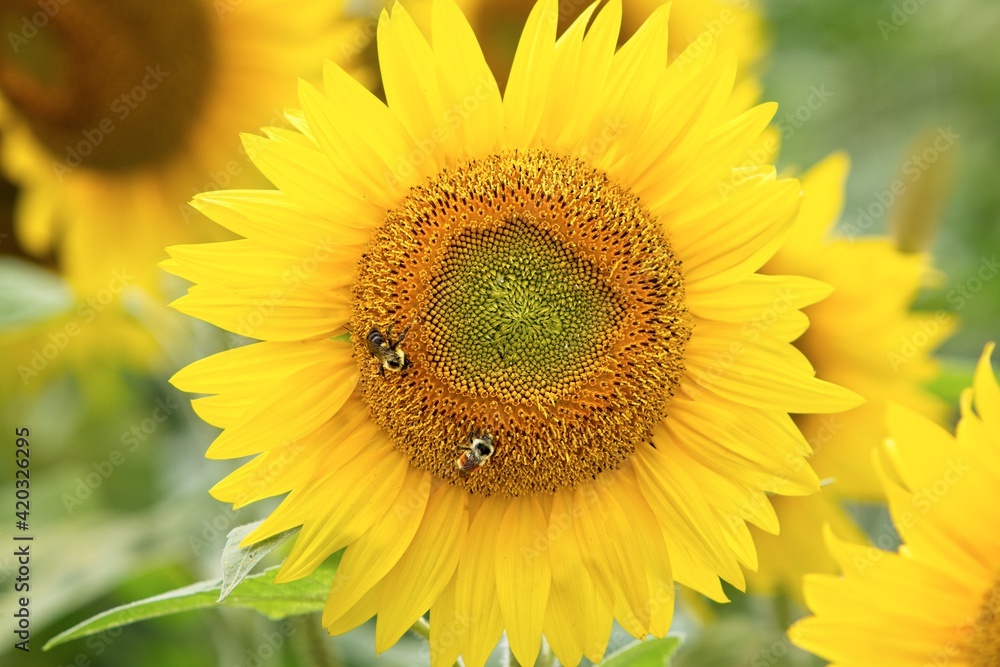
x=543 y=307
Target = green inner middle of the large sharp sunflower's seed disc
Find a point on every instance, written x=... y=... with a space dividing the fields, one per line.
x=513 y=307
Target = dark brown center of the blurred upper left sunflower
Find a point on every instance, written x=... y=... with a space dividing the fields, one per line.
x=107 y=84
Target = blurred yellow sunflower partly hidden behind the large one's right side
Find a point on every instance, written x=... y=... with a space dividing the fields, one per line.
x=862 y=338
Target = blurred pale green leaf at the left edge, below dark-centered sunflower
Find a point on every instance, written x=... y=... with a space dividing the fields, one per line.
x=30 y=294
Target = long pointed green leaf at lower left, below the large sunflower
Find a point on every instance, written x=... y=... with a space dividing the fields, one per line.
x=258 y=592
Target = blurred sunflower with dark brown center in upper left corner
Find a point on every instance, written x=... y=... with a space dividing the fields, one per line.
x=113 y=114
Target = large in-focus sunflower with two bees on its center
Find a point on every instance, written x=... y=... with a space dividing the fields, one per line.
x=555 y=397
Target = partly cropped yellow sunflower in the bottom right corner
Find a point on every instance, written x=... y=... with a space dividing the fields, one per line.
x=936 y=601
